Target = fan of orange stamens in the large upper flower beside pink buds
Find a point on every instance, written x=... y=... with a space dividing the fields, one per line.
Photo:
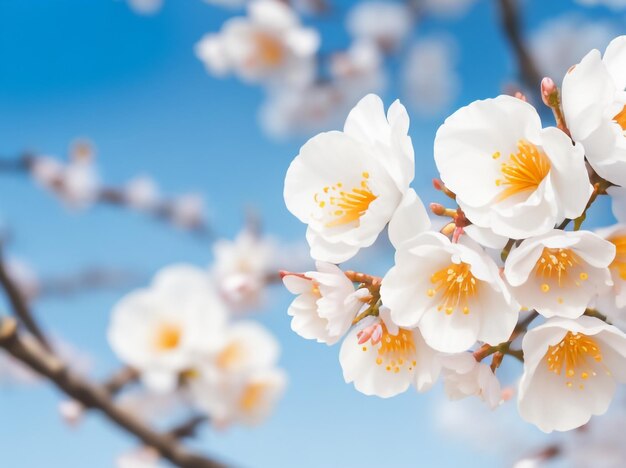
x=524 y=171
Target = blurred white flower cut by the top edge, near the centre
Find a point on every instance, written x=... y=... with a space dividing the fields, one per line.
x=386 y=23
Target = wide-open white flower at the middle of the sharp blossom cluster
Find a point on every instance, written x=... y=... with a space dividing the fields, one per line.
x=452 y=291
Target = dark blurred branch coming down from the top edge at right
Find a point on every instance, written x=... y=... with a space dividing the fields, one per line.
x=510 y=19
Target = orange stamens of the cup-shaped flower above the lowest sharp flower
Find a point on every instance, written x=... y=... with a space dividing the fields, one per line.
x=560 y=266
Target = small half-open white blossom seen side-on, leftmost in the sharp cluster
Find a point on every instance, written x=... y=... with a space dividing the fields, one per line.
x=326 y=303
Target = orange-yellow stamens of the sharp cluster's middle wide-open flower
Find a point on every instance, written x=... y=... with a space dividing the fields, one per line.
x=455 y=285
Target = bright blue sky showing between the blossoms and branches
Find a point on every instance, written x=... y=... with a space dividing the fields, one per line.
x=70 y=68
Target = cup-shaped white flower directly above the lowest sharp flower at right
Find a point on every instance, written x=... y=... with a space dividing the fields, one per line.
x=560 y=272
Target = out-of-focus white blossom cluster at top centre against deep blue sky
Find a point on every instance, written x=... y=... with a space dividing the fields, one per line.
x=309 y=88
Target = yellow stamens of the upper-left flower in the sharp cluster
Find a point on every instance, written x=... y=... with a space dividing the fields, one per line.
x=342 y=206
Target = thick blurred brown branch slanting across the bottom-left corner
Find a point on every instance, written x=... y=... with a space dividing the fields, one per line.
x=95 y=397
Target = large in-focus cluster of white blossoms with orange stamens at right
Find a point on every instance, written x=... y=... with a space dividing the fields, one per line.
x=506 y=258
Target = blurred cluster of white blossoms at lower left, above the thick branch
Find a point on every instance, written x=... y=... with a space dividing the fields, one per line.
x=184 y=333
